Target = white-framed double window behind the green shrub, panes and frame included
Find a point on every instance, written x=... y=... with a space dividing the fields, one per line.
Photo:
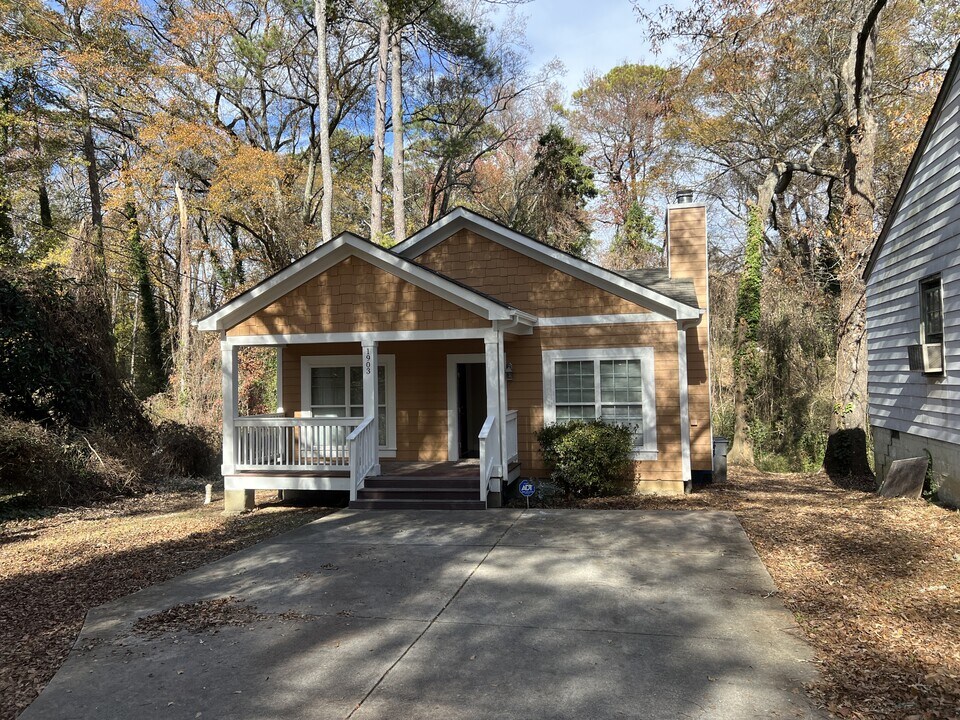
x=614 y=384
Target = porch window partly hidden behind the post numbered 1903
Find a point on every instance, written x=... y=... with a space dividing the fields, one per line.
x=332 y=386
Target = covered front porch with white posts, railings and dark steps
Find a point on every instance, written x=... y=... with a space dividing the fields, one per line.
x=403 y=451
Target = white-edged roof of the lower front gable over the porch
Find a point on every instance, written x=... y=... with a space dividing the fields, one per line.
x=340 y=248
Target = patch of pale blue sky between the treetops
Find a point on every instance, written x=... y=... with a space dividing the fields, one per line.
x=585 y=34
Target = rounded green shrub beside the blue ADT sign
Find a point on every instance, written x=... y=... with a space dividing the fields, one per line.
x=586 y=458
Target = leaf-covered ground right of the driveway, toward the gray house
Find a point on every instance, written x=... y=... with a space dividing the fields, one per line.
x=874 y=583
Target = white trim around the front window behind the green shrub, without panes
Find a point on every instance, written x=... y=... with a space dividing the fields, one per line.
x=646 y=357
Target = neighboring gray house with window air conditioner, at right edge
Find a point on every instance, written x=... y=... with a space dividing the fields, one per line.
x=913 y=305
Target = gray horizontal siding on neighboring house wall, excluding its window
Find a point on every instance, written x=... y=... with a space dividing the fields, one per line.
x=923 y=239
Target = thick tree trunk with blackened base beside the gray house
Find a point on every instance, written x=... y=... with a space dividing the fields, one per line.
x=846 y=452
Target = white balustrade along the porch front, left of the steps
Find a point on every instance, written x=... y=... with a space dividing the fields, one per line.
x=269 y=442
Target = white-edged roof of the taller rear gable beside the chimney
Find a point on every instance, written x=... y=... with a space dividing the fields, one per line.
x=664 y=298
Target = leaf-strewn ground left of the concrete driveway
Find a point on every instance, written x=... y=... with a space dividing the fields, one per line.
x=53 y=569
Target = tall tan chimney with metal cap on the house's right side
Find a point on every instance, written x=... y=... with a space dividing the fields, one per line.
x=686 y=250
